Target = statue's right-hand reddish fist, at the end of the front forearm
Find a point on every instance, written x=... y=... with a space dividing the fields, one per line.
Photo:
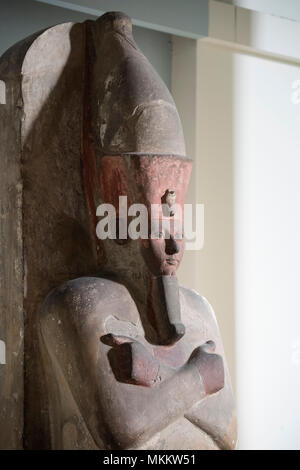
x=210 y=367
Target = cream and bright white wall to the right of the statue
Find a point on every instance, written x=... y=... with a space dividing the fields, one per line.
x=247 y=175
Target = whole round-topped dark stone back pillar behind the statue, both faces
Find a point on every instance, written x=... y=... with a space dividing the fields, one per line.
x=46 y=237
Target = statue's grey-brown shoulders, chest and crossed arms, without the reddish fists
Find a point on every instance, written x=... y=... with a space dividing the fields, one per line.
x=118 y=414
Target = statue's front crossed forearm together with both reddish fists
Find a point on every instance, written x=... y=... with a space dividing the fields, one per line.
x=151 y=404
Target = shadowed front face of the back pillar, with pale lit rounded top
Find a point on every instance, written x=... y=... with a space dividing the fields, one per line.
x=58 y=241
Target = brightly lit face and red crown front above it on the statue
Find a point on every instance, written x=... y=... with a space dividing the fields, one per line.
x=164 y=181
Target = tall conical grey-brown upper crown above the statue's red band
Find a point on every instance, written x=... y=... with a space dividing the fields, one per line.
x=135 y=111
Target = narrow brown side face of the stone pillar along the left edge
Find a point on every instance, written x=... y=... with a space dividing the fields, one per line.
x=11 y=249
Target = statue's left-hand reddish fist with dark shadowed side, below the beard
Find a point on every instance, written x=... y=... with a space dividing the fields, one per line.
x=130 y=361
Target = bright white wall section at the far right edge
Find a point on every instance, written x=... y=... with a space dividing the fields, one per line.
x=266 y=167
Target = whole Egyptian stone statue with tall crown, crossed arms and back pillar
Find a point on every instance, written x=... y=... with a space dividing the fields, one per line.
x=116 y=354
